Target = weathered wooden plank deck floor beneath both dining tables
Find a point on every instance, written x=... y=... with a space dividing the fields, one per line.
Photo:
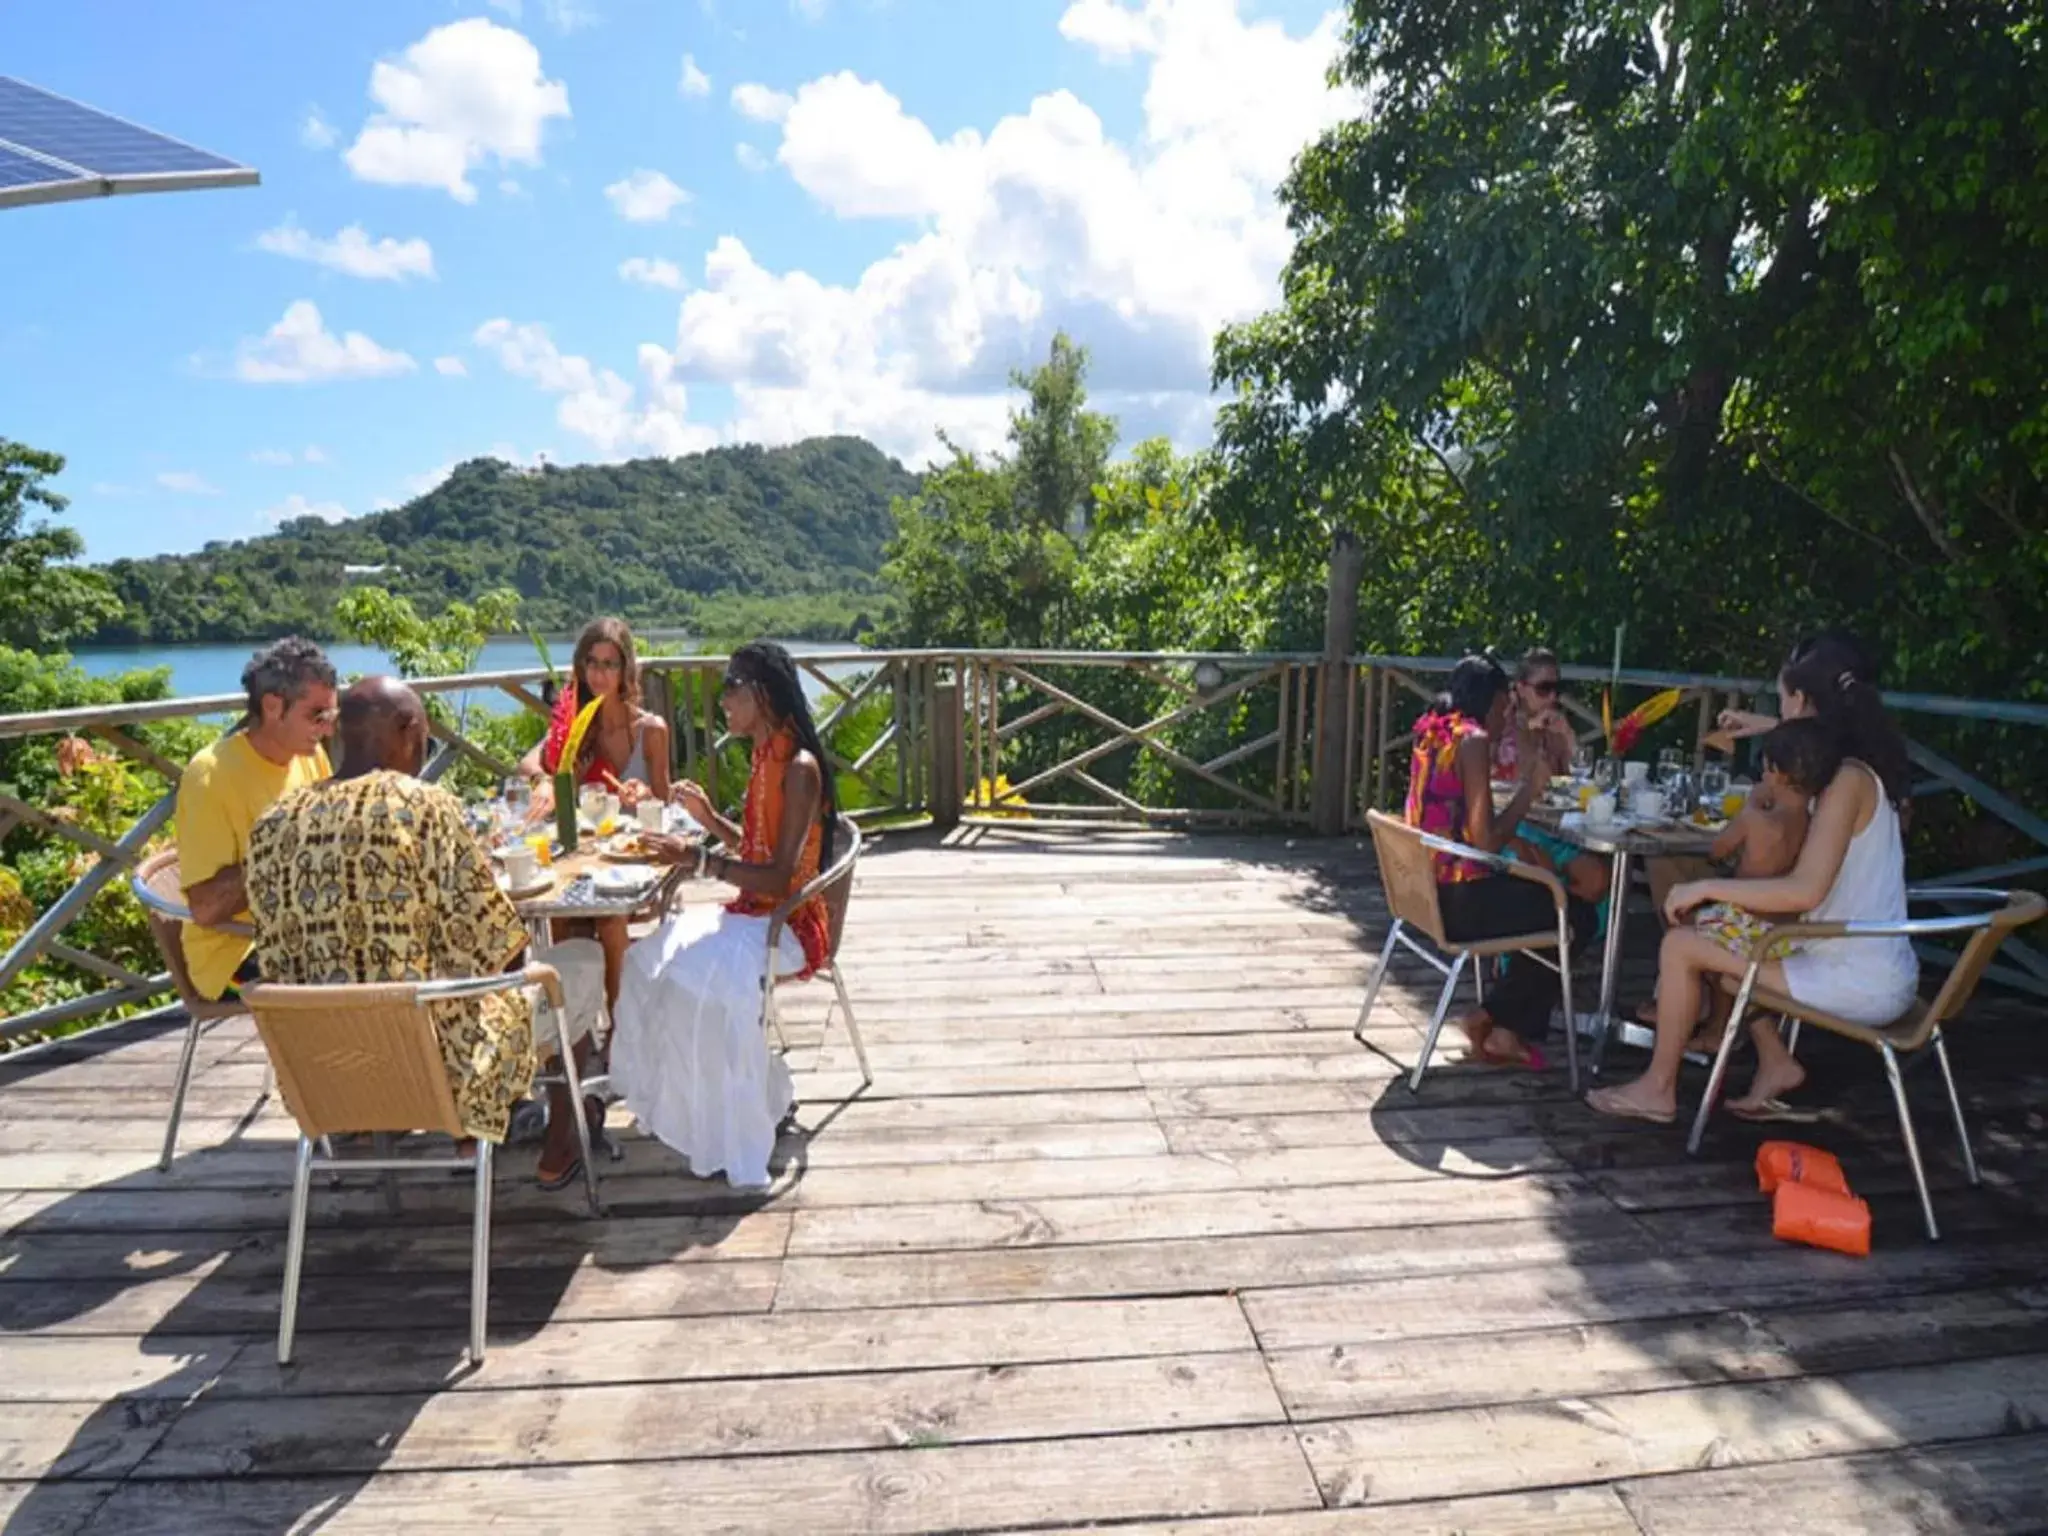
x=1129 y=1232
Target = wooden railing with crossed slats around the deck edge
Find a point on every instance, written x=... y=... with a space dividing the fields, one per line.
x=992 y=736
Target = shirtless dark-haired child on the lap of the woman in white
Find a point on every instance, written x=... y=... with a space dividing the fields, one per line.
x=1764 y=841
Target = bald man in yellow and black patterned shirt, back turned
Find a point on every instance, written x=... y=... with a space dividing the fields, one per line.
x=378 y=878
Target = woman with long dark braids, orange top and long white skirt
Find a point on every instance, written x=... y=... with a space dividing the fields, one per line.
x=689 y=1050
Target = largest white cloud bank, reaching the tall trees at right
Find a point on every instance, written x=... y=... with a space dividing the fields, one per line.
x=1140 y=247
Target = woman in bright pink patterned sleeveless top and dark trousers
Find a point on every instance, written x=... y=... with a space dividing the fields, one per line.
x=1451 y=796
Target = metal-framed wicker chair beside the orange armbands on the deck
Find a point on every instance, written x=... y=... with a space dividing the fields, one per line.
x=1918 y=1029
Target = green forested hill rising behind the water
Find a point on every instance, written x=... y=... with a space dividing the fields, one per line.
x=665 y=542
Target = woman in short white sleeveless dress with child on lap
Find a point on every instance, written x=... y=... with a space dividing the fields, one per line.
x=1850 y=869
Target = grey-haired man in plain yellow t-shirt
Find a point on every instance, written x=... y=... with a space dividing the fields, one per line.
x=292 y=710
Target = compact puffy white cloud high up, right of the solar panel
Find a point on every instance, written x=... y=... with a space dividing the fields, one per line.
x=464 y=93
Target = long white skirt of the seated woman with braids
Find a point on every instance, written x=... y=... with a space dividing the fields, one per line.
x=689 y=1046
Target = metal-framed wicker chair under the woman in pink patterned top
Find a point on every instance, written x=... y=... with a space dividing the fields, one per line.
x=1408 y=876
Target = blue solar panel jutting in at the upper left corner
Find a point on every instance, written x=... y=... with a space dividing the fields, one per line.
x=54 y=148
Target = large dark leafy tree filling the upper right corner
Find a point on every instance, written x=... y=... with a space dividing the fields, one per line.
x=1711 y=318
